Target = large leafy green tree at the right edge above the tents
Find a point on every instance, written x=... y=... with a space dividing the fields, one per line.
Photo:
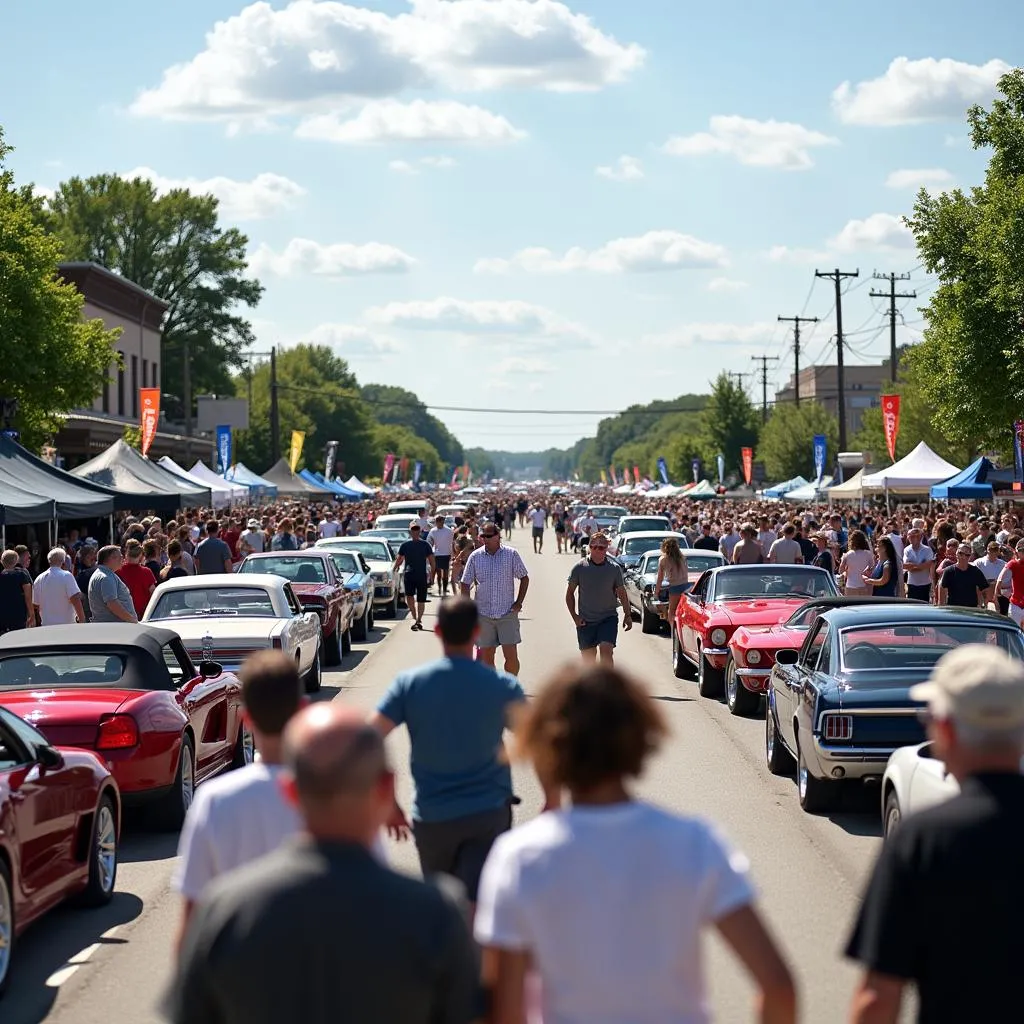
x=972 y=357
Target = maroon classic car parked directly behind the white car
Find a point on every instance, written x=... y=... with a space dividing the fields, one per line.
x=318 y=585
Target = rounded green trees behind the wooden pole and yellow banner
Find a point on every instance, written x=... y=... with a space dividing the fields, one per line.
x=318 y=394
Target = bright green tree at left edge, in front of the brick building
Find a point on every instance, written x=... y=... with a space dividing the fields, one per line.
x=53 y=360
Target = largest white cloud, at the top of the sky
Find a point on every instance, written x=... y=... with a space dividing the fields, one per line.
x=314 y=55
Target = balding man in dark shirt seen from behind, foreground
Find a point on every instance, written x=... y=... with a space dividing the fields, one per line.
x=399 y=949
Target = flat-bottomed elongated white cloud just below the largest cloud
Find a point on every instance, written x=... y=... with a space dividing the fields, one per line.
x=421 y=120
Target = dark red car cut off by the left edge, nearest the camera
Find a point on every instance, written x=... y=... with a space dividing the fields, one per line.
x=60 y=826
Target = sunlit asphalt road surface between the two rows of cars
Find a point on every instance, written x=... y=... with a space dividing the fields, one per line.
x=111 y=966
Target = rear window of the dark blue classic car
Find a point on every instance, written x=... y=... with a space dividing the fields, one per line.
x=918 y=648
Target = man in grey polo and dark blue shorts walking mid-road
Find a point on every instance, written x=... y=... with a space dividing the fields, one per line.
x=602 y=591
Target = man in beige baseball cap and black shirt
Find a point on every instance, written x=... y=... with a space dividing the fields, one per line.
x=945 y=906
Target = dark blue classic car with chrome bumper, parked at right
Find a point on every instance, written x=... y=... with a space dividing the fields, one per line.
x=840 y=707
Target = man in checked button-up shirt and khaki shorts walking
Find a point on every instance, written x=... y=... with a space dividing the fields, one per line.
x=494 y=571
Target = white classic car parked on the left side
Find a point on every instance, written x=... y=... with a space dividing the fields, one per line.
x=225 y=618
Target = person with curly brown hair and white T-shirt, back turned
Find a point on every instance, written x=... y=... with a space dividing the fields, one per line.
x=598 y=910
